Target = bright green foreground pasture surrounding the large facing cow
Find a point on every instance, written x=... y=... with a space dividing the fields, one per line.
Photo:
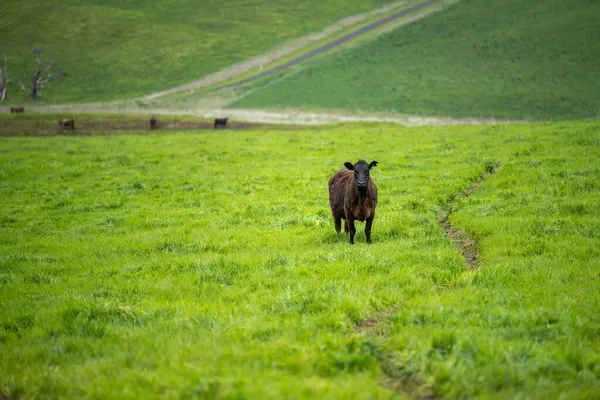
x=205 y=264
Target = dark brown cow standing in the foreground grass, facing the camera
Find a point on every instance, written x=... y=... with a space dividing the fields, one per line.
x=353 y=196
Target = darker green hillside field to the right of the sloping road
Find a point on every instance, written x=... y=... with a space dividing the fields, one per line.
x=510 y=59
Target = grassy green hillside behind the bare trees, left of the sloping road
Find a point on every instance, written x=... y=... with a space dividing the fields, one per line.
x=118 y=49
